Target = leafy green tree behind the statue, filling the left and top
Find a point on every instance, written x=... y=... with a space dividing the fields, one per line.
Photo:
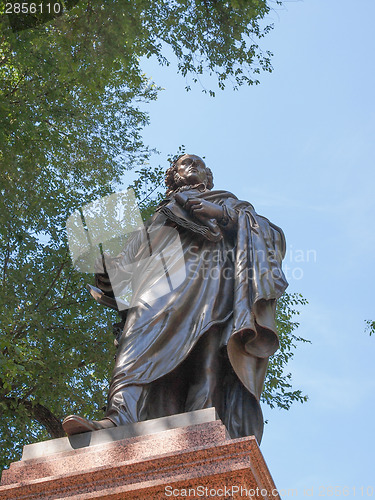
x=71 y=122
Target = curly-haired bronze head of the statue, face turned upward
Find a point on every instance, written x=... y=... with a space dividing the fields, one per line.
x=188 y=170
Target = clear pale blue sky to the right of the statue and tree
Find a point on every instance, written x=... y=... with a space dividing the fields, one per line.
x=300 y=148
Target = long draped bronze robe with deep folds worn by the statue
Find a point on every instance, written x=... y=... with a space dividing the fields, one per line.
x=230 y=282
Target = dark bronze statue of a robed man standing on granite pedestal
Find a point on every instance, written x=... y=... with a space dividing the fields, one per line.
x=207 y=342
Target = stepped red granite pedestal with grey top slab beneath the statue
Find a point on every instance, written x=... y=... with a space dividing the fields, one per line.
x=189 y=461
